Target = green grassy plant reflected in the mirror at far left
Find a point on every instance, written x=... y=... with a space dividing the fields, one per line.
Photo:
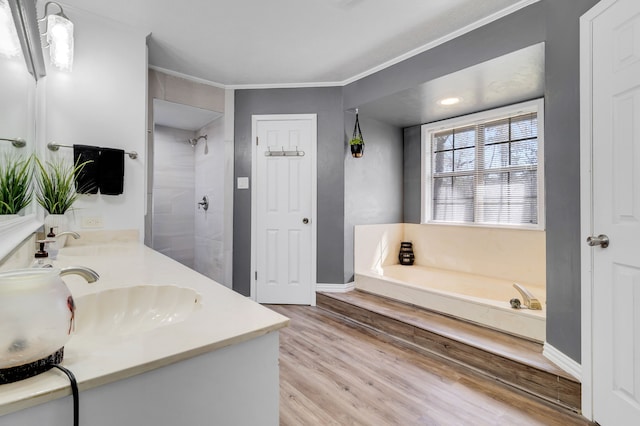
x=15 y=183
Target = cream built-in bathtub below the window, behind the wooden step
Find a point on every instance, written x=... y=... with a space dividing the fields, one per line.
x=475 y=298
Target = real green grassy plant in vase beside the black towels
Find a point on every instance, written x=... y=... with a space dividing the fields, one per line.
x=55 y=185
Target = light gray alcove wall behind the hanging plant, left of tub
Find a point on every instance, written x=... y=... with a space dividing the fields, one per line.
x=373 y=184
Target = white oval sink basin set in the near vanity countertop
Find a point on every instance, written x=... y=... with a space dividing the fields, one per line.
x=131 y=310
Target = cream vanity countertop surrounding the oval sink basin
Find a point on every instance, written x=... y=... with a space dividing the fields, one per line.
x=225 y=318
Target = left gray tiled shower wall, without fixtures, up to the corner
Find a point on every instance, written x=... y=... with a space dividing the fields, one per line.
x=174 y=203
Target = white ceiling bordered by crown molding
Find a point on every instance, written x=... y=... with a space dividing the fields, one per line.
x=291 y=42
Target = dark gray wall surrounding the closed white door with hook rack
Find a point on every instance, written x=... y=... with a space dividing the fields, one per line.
x=327 y=104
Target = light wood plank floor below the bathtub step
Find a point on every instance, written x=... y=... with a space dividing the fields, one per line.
x=333 y=372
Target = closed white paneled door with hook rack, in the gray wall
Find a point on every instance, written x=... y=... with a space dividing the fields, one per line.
x=283 y=209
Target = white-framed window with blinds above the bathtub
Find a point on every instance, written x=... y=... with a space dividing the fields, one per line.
x=488 y=172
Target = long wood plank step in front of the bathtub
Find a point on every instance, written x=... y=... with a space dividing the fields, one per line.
x=513 y=360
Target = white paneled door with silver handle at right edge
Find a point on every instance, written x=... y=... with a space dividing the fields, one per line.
x=615 y=212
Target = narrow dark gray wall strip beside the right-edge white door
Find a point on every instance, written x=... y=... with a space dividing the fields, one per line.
x=562 y=173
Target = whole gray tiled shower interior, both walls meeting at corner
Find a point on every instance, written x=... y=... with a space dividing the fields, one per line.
x=182 y=176
